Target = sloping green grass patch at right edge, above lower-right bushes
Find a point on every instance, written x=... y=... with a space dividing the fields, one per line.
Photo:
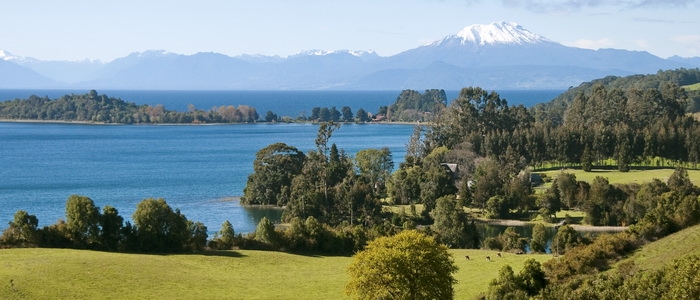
x=659 y=253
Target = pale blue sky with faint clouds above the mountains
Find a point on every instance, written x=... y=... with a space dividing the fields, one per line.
x=106 y=30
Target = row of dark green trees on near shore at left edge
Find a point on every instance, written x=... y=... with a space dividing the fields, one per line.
x=156 y=228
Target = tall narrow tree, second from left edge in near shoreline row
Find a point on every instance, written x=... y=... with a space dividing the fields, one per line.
x=82 y=220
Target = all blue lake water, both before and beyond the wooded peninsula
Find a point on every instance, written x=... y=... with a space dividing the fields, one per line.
x=197 y=169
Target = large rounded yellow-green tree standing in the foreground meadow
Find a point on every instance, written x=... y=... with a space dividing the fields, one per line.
x=409 y=265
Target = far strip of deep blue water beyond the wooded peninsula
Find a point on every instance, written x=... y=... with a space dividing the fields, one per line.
x=283 y=103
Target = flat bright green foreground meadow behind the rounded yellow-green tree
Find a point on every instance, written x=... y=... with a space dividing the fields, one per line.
x=76 y=274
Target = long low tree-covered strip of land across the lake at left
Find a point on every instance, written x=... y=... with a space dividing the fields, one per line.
x=92 y=107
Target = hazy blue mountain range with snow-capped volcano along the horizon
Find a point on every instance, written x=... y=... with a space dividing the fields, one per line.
x=500 y=55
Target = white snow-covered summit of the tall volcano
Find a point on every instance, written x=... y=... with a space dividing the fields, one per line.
x=493 y=34
